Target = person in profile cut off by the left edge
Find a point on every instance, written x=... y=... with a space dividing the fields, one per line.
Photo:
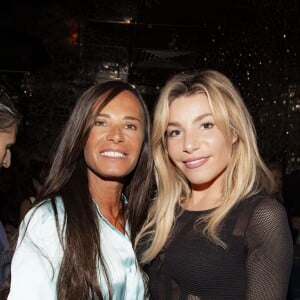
x=9 y=121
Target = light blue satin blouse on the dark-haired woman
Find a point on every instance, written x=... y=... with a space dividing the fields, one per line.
x=37 y=259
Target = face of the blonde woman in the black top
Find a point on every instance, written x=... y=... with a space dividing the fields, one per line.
x=195 y=144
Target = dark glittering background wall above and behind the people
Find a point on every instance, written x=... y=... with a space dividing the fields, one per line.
x=53 y=50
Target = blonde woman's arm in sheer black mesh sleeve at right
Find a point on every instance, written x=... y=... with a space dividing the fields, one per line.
x=270 y=252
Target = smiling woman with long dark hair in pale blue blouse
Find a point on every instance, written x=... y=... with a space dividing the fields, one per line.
x=76 y=242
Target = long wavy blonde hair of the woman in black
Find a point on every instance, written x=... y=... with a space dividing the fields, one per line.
x=246 y=173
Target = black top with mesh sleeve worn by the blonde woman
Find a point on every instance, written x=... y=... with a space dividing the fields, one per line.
x=256 y=264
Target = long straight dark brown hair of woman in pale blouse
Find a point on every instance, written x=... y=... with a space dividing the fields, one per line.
x=67 y=177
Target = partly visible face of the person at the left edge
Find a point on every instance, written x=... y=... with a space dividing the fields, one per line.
x=7 y=139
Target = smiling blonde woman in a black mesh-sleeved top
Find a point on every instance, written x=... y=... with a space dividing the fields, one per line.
x=213 y=231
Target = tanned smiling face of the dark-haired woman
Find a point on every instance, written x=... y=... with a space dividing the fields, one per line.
x=115 y=140
